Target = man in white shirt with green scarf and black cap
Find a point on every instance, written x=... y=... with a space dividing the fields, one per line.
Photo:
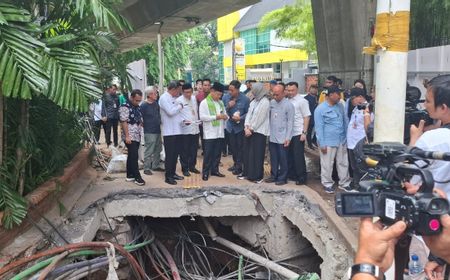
x=212 y=114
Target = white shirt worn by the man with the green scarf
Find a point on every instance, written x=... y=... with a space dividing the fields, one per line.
x=210 y=131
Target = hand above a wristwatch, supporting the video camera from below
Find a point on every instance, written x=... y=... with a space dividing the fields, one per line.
x=376 y=245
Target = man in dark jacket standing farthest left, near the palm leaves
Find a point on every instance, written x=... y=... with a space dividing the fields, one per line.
x=111 y=113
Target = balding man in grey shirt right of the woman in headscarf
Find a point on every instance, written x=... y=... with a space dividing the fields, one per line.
x=281 y=123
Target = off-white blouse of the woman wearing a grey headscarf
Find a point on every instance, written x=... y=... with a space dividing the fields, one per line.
x=258 y=116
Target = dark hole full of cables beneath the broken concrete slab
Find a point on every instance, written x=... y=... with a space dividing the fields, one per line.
x=196 y=255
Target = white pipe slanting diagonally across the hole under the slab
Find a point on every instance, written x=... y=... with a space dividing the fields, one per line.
x=289 y=274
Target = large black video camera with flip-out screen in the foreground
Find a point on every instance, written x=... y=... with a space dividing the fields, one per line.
x=384 y=196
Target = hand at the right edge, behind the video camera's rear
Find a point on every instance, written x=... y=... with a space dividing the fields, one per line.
x=440 y=244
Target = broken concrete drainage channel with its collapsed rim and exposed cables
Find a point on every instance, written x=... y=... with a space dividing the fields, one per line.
x=290 y=228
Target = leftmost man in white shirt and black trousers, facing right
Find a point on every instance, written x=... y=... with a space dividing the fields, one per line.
x=171 y=119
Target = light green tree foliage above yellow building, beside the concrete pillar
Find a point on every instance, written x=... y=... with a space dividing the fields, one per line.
x=294 y=23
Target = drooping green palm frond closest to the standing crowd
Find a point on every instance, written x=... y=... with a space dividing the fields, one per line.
x=73 y=79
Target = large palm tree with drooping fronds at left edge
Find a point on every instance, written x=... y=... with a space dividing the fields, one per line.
x=52 y=50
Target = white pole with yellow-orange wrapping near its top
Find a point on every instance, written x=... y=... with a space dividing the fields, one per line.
x=390 y=47
